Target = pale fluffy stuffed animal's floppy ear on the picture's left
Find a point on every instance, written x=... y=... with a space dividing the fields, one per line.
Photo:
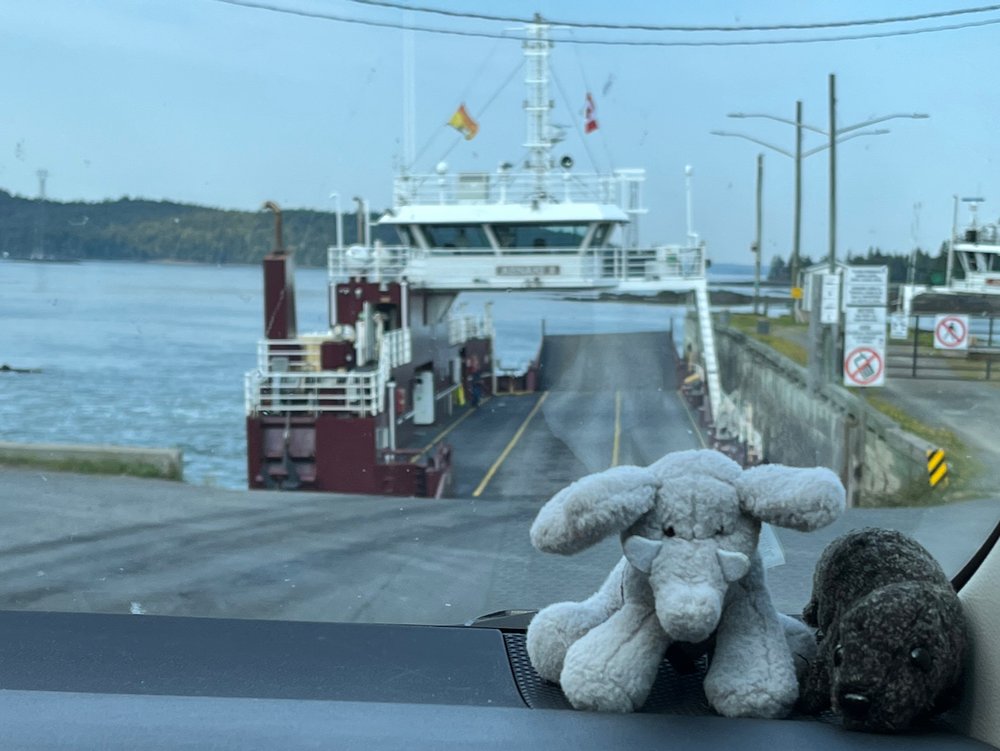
x=593 y=508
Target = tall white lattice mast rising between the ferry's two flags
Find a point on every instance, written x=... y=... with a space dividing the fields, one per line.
x=537 y=105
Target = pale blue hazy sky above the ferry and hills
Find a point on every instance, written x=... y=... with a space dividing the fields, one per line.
x=205 y=102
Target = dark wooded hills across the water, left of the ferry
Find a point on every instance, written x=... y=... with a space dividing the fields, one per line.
x=140 y=230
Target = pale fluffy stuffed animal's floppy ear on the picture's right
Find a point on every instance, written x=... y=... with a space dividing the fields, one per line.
x=802 y=499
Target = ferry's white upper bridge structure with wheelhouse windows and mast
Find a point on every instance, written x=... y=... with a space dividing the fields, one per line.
x=544 y=225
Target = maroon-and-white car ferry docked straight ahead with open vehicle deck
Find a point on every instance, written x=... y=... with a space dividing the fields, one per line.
x=338 y=410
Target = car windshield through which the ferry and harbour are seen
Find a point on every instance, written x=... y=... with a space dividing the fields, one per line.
x=626 y=217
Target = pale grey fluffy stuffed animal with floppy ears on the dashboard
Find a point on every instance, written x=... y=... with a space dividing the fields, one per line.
x=689 y=526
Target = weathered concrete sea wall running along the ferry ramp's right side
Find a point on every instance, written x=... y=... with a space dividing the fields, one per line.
x=878 y=461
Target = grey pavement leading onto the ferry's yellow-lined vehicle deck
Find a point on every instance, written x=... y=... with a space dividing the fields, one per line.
x=87 y=543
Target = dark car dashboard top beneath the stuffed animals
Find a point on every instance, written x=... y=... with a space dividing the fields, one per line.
x=151 y=682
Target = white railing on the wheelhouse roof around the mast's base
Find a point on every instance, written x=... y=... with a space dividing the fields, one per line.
x=513 y=187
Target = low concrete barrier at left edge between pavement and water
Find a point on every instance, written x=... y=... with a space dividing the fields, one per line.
x=166 y=463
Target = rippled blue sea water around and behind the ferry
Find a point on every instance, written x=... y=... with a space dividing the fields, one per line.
x=144 y=354
